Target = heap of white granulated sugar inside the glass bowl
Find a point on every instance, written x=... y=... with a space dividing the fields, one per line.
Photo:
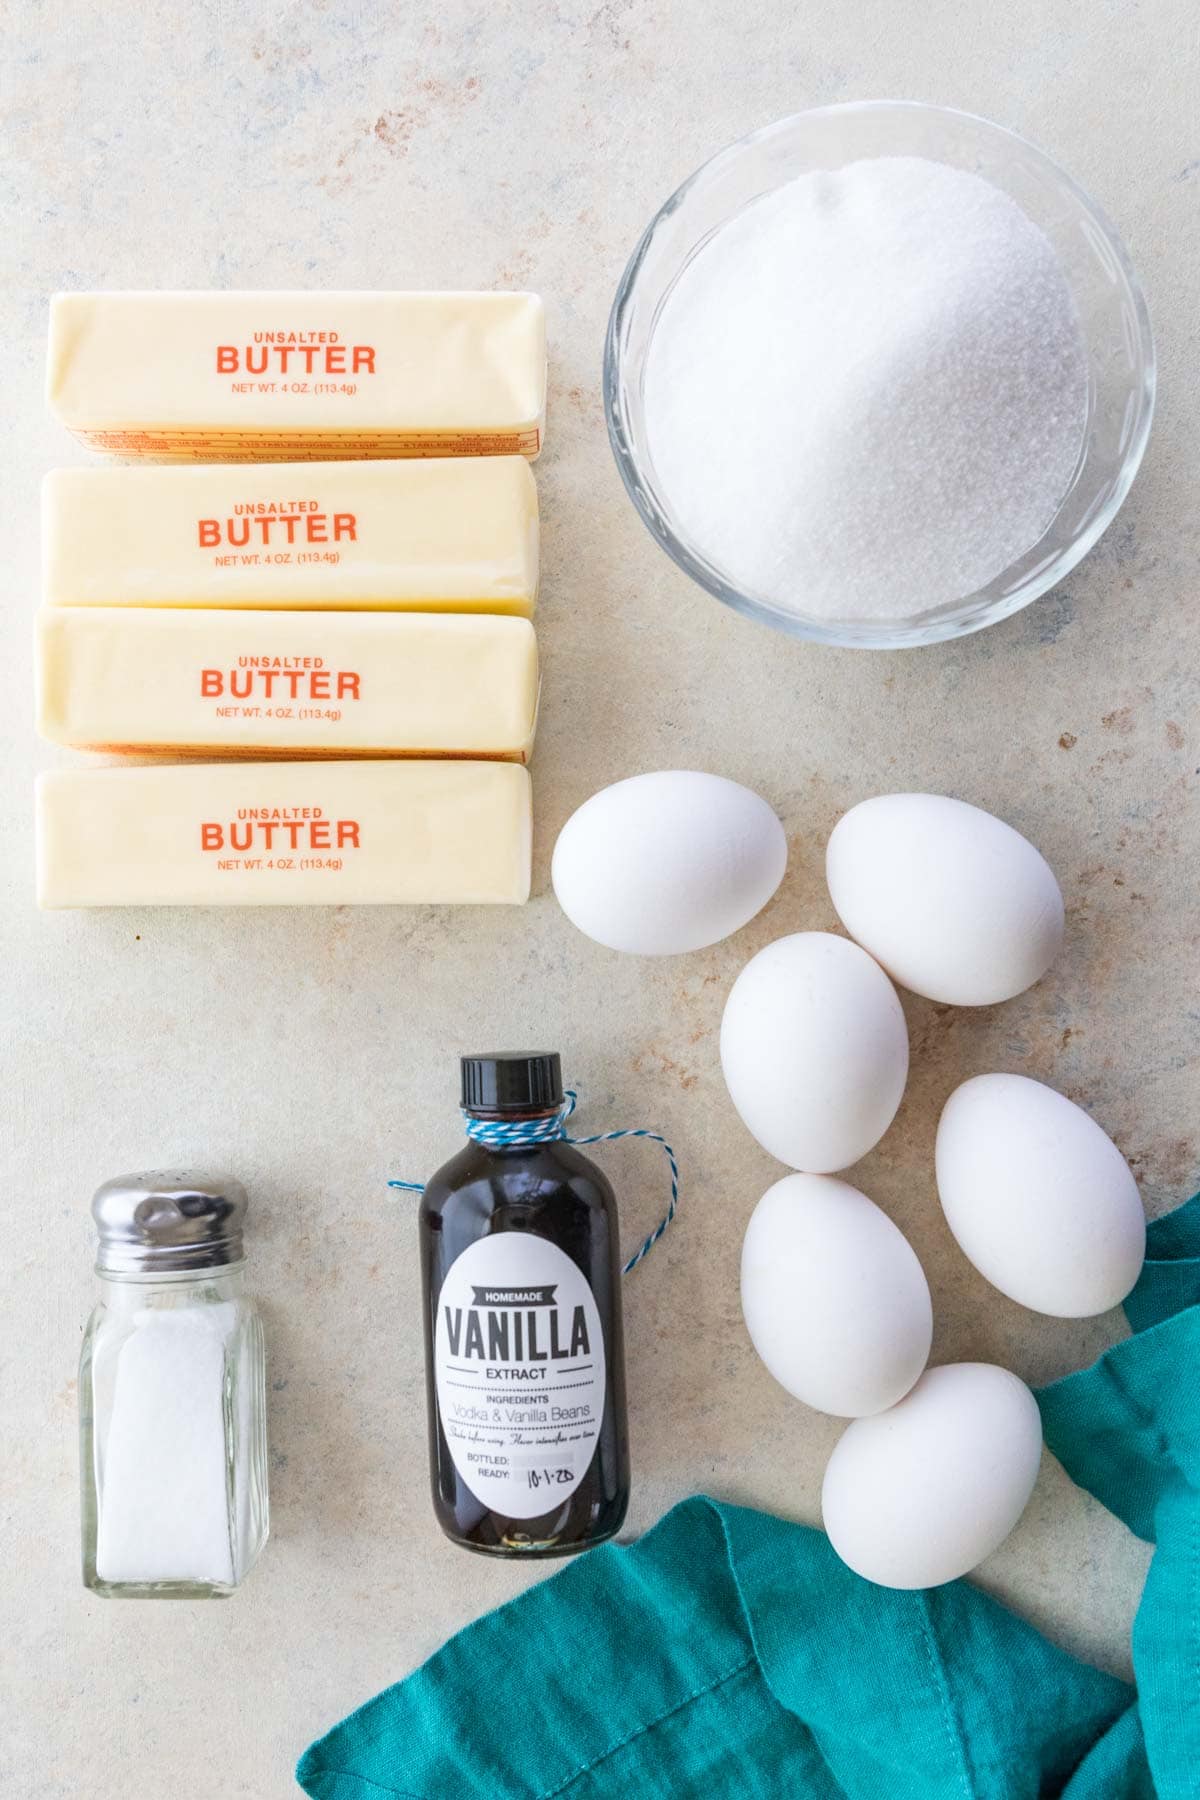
x=866 y=395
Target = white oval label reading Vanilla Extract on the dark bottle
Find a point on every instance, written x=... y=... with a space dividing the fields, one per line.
x=519 y=1360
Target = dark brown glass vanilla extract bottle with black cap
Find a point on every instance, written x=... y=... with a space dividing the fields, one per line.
x=523 y=1326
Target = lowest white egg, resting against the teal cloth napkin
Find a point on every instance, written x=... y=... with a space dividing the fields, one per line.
x=926 y=1491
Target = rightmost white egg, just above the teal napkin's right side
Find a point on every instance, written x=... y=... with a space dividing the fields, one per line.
x=1039 y=1198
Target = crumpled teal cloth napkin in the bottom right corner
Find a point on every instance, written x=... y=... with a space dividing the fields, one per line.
x=733 y=1655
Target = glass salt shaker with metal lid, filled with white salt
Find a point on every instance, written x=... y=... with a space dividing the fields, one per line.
x=172 y=1394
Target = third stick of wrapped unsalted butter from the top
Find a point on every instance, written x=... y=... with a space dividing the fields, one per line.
x=287 y=683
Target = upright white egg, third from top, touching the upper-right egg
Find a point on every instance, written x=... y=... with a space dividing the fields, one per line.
x=816 y=1050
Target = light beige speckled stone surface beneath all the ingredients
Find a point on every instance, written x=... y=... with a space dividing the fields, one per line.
x=314 y=1054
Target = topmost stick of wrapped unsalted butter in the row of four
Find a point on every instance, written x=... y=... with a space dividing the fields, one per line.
x=256 y=377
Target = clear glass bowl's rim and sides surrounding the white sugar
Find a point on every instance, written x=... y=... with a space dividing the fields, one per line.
x=1106 y=289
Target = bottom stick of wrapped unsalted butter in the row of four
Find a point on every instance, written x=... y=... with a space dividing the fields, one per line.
x=285 y=834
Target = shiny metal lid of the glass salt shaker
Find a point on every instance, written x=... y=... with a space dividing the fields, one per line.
x=168 y=1221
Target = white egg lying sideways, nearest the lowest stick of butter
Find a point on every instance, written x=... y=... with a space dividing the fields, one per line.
x=668 y=863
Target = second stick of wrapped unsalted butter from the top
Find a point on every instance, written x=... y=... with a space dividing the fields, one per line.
x=442 y=537
